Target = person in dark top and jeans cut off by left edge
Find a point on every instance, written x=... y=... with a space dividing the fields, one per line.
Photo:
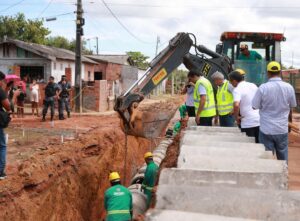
x=4 y=115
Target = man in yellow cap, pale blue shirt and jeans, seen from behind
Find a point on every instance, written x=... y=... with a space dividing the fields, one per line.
x=275 y=100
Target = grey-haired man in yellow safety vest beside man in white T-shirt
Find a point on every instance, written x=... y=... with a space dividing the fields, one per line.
x=224 y=99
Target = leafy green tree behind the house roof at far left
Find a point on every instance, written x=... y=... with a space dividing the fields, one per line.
x=18 y=27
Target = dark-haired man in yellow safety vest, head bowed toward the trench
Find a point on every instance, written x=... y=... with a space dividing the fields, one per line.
x=204 y=99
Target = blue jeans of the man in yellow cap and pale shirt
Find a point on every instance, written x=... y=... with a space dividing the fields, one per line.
x=276 y=143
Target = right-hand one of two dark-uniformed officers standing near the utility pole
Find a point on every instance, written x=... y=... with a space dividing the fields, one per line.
x=63 y=99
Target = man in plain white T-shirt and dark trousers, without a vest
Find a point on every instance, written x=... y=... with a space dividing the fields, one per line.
x=245 y=115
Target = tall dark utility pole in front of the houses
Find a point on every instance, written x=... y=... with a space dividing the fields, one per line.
x=79 y=33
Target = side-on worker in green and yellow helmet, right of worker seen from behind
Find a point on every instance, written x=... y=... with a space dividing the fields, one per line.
x=150 y=177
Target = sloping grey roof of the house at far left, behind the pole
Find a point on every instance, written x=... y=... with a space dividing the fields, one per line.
x=49 y=52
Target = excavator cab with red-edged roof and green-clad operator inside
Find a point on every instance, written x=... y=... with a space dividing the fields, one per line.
x=264 y=47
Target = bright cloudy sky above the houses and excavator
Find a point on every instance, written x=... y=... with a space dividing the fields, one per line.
x=142 y=21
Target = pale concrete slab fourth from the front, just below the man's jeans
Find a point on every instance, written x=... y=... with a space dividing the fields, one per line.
x=234 y=164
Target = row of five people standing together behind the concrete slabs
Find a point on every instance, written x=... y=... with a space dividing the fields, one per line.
x=261 y=112
